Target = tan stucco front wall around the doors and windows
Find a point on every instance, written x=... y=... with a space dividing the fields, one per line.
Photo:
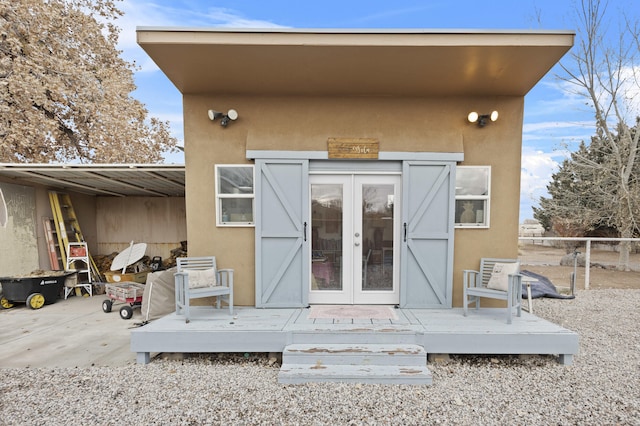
x=400 y=124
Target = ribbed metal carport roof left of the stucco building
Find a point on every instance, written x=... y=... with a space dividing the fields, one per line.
x=119 y=180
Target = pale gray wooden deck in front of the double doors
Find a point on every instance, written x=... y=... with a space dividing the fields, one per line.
x=439 y=331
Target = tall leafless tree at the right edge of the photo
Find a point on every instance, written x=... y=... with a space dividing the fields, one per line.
x=604 y=69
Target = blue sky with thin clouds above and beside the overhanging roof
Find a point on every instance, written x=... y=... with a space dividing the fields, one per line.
x=554 y=120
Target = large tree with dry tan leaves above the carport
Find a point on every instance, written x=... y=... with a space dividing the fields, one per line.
x=65 y=92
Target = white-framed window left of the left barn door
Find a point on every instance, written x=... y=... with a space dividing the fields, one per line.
x=234 y=195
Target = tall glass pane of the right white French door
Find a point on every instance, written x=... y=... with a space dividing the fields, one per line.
x=377 y=237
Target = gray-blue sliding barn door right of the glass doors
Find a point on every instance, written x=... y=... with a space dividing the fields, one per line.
x=427 y=234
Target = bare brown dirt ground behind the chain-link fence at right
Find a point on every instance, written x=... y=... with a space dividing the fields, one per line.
x=545 y=260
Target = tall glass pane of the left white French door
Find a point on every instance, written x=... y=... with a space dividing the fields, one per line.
x=326 y=236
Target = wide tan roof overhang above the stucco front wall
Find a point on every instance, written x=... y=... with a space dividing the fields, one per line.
x=284 y=62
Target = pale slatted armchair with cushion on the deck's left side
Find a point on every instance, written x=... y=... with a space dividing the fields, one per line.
x=198 y=277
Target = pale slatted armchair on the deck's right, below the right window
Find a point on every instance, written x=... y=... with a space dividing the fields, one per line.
x=476 y=284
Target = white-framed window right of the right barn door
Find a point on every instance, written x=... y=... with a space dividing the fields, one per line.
x=473 y=185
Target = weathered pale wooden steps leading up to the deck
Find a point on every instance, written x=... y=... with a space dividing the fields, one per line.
x=359 y=363
